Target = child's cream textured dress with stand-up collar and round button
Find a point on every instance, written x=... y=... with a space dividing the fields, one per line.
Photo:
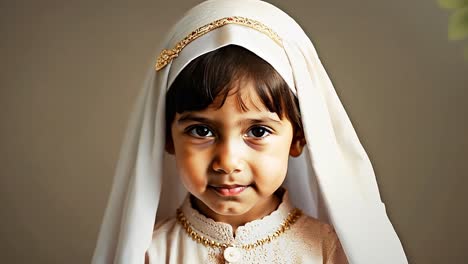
x=306 y=241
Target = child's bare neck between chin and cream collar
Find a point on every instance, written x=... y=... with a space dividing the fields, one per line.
x=257 y=212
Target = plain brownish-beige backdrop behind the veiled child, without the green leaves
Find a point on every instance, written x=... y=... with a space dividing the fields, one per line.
x=70 y=71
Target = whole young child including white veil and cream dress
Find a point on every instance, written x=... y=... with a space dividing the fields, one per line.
x=236 y=90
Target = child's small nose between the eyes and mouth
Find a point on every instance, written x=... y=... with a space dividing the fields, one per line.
x=227 y=158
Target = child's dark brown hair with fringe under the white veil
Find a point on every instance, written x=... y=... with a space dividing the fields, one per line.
x=215 y=74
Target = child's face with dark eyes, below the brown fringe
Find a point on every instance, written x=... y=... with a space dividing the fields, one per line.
x=232 y=160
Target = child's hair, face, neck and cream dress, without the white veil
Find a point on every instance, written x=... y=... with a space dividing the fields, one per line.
x=232 y=122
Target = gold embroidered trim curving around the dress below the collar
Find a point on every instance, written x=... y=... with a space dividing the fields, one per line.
x=290 y=220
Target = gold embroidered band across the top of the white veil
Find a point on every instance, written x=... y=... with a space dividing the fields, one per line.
x=167 y=56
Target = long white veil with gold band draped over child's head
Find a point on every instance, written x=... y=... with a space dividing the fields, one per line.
x=332 y=180
